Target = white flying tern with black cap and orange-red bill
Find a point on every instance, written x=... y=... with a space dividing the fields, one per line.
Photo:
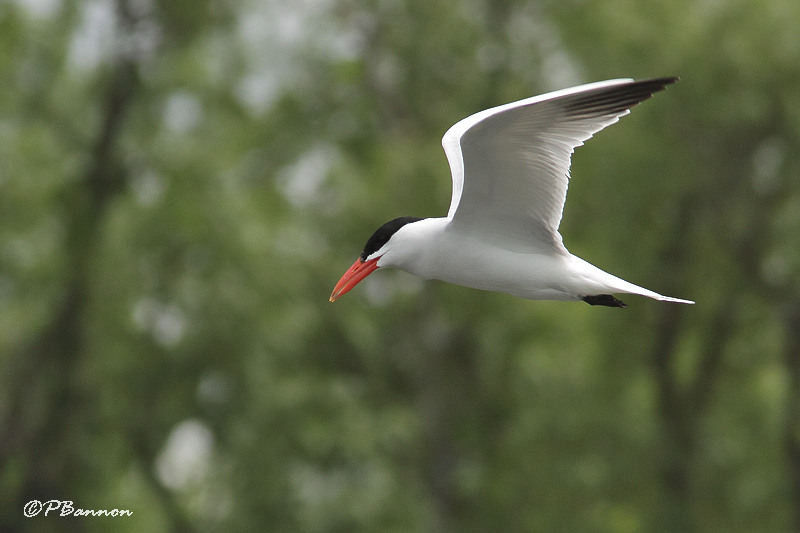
x=510 y=167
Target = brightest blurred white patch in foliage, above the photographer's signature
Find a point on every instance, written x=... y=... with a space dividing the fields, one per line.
x=185 y=459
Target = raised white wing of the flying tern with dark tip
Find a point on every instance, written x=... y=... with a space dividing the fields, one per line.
x=510 y=163
